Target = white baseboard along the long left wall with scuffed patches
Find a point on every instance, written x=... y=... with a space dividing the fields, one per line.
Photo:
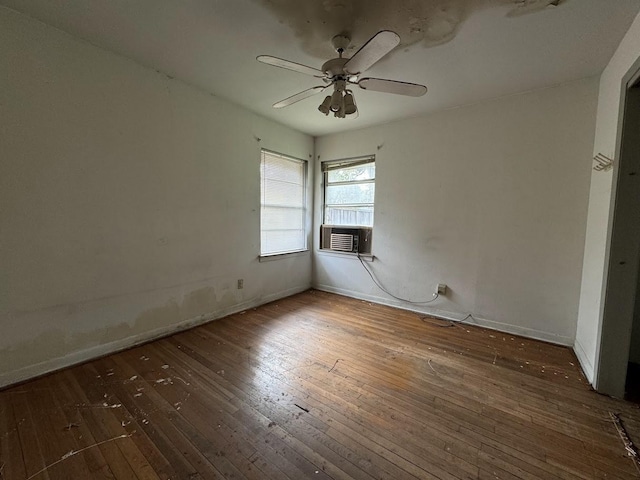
x=75 y=358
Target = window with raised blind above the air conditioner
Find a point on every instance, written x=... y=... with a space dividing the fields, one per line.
x=349 y=189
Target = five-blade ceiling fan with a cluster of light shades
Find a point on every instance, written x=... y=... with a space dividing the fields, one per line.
x=340 y=73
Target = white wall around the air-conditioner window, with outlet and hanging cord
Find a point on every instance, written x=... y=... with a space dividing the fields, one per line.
x=490 y=199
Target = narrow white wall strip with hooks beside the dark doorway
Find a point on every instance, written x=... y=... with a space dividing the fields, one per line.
x=592 y=290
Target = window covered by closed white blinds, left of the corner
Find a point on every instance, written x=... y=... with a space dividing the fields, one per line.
x=282 y=204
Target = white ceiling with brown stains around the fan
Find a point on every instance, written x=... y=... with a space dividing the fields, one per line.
x=465 y=51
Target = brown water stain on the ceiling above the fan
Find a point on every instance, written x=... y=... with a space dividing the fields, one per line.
x=429 y=22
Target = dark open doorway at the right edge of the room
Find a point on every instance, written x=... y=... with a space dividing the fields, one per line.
x=619 y=351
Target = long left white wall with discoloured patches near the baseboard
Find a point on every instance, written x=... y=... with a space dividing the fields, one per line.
x=129 y=202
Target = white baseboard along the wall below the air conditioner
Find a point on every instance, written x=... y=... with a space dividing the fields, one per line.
x=456 y=317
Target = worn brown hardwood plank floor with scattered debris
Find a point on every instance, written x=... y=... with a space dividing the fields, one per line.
x=324 y=387
